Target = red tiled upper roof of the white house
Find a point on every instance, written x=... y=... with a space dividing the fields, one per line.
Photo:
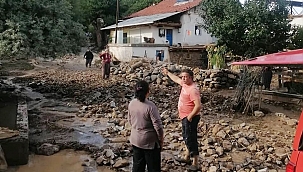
x=166 y=6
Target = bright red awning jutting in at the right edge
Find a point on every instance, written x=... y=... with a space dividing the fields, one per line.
x=293 y=57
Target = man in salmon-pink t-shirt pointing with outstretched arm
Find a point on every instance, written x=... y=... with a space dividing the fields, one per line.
x=189 y=106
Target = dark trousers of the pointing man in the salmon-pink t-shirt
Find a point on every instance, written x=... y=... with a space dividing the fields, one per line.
x=190 y=134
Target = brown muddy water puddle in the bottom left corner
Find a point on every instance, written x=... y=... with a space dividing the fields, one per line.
x=64 y=161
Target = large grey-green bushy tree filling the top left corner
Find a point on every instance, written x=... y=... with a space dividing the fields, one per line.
x=38 y=28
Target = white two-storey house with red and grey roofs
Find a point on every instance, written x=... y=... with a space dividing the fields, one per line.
x=157 y=27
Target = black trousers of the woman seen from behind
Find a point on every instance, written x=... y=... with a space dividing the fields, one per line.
x=149 y=157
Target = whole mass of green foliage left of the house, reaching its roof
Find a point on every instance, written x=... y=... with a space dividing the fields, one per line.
x=52 y=28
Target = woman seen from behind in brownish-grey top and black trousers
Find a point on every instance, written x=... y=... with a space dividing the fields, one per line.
x=146 y=130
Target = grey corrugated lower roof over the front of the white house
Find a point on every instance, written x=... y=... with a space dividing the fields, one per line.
x=140 y=20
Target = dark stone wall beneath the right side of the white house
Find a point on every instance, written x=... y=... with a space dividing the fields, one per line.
x=191 y=57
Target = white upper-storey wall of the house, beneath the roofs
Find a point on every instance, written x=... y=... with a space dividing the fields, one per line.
x=184 y=35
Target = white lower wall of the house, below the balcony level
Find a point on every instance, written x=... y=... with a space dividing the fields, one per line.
x=125 y=52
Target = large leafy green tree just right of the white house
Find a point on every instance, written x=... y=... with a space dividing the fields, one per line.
x=255 y=28
